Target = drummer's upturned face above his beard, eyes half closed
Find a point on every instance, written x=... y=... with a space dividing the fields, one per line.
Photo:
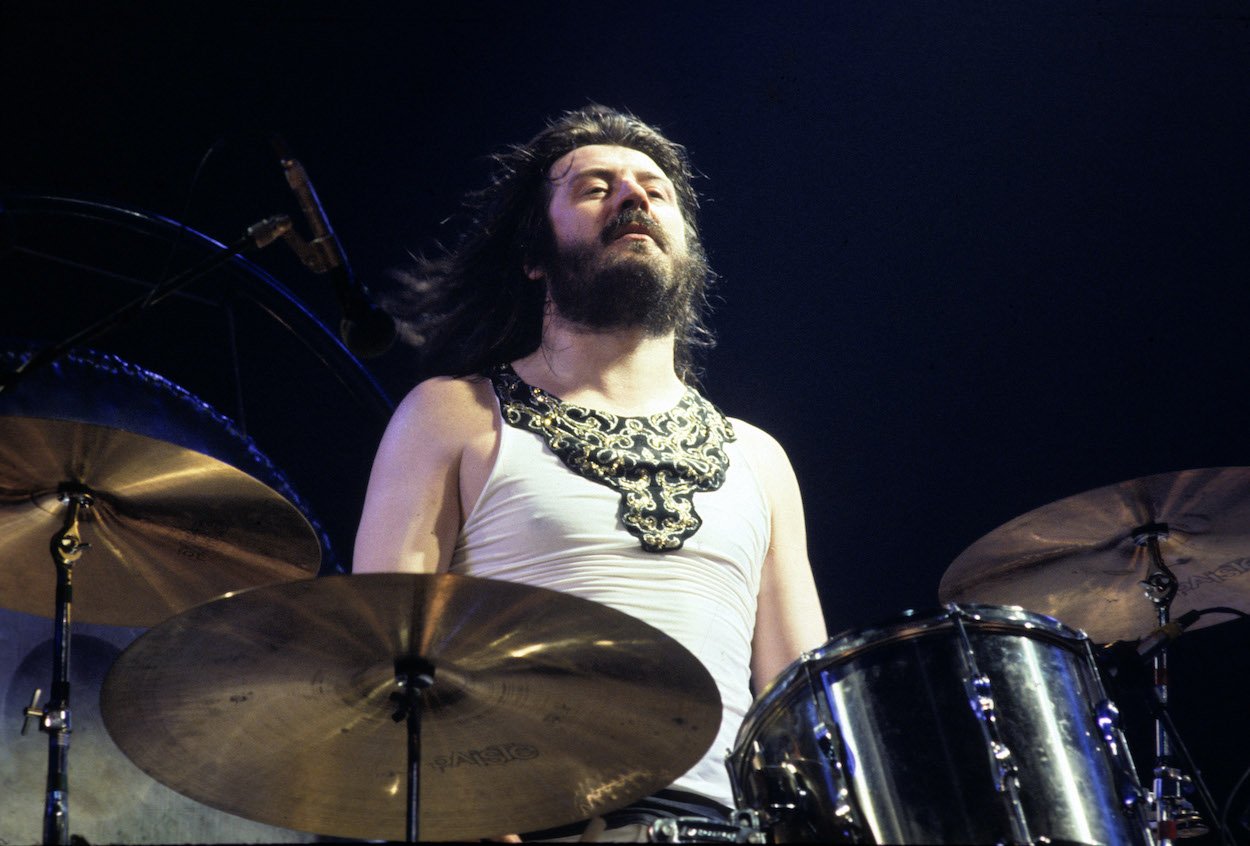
x=596 y=186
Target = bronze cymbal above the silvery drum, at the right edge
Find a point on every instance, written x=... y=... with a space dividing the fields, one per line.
x=1077 y=559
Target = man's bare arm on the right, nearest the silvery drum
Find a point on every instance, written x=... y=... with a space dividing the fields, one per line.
x=789 y=619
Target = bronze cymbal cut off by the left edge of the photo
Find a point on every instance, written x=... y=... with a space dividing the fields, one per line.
x=169 y=528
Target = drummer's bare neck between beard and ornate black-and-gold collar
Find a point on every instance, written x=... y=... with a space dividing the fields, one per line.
x=624 y=372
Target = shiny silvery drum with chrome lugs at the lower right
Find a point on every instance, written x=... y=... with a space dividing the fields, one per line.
x=976 y=725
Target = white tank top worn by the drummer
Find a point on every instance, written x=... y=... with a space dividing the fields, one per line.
x=541 y=524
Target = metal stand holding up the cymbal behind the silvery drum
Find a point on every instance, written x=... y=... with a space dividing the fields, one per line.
x=1174 y=815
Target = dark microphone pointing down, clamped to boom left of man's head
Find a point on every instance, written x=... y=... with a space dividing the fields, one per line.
x=366 y=329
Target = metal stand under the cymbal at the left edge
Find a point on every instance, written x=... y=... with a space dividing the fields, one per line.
x=54 y=718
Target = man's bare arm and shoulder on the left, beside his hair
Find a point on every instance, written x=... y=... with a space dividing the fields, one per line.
x=432 y=454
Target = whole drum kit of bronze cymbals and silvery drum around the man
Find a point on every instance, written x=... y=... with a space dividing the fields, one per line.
x=447 y=708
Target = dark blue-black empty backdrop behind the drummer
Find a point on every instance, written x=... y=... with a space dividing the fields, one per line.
x=976 y=257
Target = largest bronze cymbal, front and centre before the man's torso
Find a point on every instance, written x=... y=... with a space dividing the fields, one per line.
x=547 y=709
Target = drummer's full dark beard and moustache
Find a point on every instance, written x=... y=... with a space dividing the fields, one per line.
x=632 y=288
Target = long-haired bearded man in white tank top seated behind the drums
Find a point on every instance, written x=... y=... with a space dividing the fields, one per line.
x=564 y=443
